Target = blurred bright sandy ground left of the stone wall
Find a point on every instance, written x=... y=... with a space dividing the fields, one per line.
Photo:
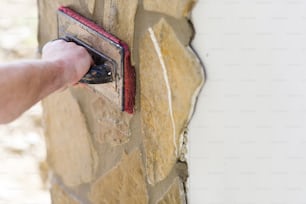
x=22 y=148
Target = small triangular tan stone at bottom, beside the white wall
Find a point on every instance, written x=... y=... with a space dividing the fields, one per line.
x=175 y=194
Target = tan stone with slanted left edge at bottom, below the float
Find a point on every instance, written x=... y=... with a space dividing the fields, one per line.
x=125 y=183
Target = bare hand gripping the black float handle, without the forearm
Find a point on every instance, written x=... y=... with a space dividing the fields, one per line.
x=73 y=60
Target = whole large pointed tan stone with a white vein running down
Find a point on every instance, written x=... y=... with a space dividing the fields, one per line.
x=170 y=77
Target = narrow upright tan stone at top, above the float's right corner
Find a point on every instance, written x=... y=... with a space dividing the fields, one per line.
x=119 y=16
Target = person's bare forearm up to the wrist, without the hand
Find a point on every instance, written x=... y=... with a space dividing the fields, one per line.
x=24 y=83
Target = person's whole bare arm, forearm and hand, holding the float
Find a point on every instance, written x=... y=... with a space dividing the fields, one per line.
x=22 y=84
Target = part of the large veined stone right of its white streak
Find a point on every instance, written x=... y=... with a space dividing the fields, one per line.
x=185 y=75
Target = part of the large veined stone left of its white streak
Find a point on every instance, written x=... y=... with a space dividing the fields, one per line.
x=157 y=127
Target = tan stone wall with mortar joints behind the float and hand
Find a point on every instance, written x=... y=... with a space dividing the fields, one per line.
x=98 y=154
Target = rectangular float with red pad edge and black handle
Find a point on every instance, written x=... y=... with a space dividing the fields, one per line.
x=112 y=74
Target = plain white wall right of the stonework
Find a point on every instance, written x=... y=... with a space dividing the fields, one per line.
x=247 y=140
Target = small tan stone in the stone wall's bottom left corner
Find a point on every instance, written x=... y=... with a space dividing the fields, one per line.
x=59 y=196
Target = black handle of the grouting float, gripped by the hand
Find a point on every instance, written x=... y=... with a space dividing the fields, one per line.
x=103 y=68
